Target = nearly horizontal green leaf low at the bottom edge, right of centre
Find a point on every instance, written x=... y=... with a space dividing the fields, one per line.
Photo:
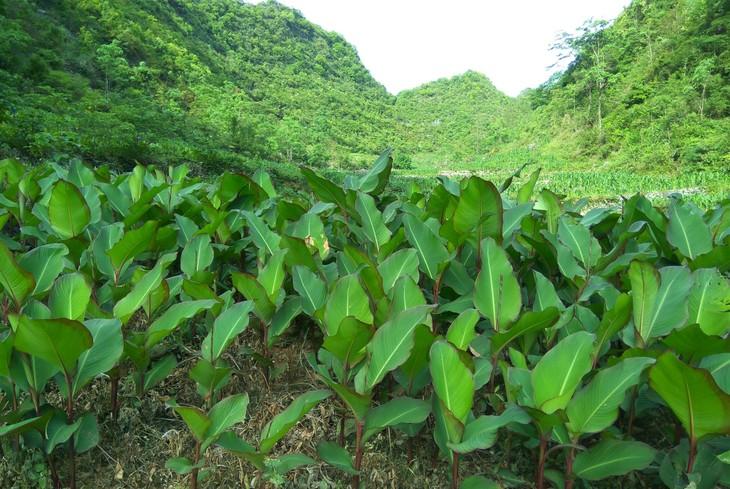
x=611 y=458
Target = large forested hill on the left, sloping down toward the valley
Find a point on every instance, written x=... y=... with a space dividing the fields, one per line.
x=213 y=81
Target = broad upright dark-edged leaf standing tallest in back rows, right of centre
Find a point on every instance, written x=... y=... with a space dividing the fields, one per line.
x=480 y=208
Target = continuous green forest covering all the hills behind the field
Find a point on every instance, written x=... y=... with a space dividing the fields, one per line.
x=222 y=82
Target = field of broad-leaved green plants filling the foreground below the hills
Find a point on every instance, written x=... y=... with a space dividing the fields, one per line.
x=164 y=330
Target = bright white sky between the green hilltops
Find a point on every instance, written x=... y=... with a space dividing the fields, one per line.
x=405 y=43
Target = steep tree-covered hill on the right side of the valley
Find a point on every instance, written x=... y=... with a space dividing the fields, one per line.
x=651 y=91
